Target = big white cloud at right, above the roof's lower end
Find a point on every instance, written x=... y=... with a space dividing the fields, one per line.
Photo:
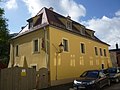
x=107 y=29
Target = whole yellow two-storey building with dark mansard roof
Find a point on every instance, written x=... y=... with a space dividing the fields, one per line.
x=62 y=46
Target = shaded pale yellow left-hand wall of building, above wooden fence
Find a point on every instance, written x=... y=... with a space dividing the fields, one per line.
x=25 y=50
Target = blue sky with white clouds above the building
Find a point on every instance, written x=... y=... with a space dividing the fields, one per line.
x=102 y=16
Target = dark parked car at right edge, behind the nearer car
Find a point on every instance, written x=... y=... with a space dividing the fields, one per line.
x=114 y=74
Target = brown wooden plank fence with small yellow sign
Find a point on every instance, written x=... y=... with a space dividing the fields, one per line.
x=17 y=78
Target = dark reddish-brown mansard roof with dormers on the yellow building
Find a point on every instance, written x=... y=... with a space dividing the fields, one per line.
x=48 y=17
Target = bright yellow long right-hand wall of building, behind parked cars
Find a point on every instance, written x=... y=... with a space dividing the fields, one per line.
x=73 y=63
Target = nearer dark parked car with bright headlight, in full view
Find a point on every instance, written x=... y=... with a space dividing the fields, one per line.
x=91 y=79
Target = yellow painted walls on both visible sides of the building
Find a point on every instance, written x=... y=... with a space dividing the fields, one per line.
x=70 y=64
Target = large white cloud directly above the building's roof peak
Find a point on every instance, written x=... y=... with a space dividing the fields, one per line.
x=65 y=7
